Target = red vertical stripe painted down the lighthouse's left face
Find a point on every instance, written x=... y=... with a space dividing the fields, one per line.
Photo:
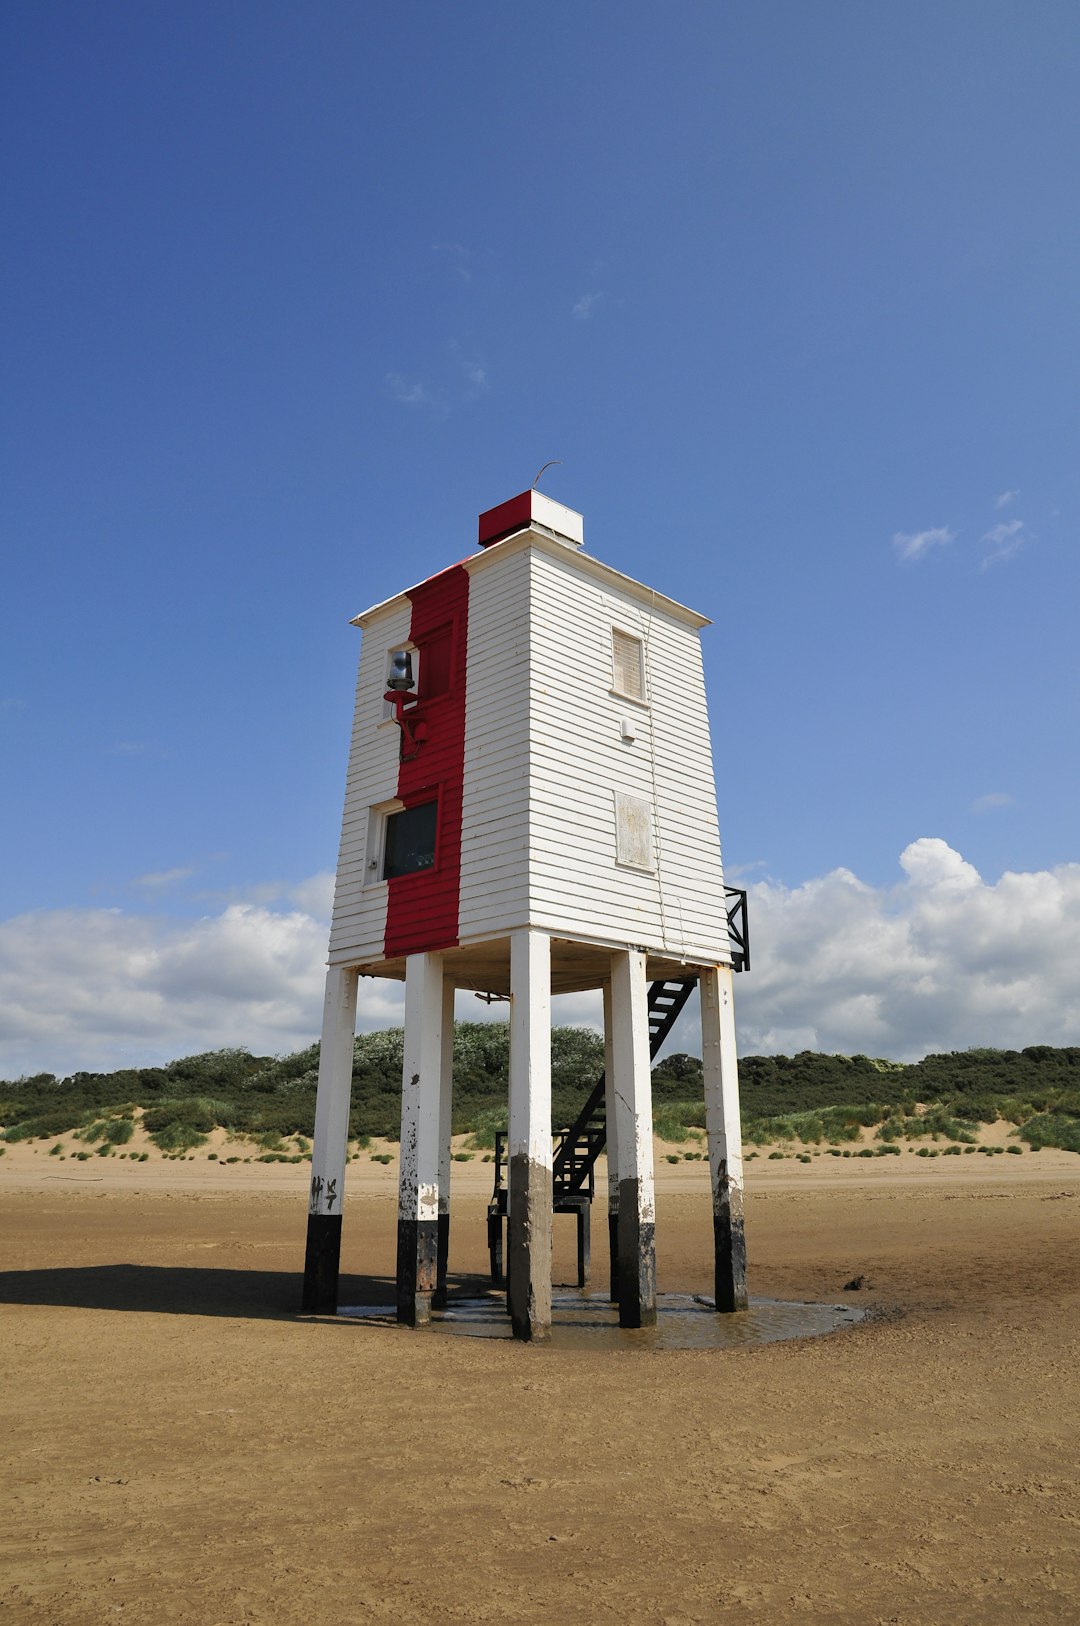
x=422 y=908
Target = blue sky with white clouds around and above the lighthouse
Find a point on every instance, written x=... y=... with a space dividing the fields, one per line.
x=294 y=292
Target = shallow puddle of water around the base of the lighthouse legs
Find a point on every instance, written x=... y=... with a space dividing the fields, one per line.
x=684 y=1323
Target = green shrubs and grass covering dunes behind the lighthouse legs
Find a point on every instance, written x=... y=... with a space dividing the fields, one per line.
x=808 y=1098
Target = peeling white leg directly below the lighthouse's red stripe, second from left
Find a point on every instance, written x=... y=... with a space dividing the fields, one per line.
x=419 y=1188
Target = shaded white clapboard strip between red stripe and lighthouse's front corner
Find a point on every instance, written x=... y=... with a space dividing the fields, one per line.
x=495 y=806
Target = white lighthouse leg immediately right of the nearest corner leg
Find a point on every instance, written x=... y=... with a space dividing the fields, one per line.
x=634 y=1129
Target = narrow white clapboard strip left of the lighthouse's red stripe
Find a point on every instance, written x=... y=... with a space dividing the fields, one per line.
x=359 y=928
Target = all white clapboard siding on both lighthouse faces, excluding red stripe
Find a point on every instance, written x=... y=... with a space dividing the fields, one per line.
x=546 y=760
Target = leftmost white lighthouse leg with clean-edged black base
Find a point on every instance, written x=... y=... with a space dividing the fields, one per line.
x=331 y=1146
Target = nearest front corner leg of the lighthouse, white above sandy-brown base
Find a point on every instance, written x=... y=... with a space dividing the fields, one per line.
x=529 y=1204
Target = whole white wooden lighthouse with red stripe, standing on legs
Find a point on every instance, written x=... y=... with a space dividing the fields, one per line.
x=531 y=811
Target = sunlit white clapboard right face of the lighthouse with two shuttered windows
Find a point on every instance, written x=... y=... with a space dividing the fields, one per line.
x=578 y=760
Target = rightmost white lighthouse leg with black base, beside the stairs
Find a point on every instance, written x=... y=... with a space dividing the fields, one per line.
x=725 y=1136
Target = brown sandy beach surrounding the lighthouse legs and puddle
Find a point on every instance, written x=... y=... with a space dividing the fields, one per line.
x=181 y=1446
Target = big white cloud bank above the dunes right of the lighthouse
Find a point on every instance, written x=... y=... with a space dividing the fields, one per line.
x=943 y=962
